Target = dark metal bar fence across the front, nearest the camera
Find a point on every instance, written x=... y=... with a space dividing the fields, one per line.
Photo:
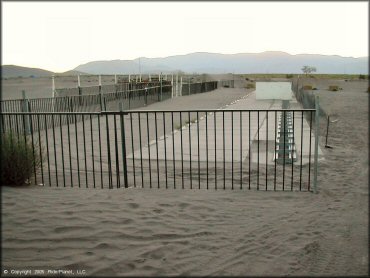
x=192 y=149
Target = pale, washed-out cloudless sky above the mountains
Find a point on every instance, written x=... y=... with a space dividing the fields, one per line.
x=58 y=36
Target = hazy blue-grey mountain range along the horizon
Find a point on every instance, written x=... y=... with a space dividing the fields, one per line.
x=203 y=62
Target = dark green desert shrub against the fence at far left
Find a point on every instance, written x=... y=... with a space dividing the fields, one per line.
x=18 y=160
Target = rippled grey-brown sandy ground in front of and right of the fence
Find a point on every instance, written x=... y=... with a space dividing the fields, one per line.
x=155 y=232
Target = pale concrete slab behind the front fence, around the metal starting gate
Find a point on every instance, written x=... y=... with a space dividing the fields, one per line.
x=235 y=135
